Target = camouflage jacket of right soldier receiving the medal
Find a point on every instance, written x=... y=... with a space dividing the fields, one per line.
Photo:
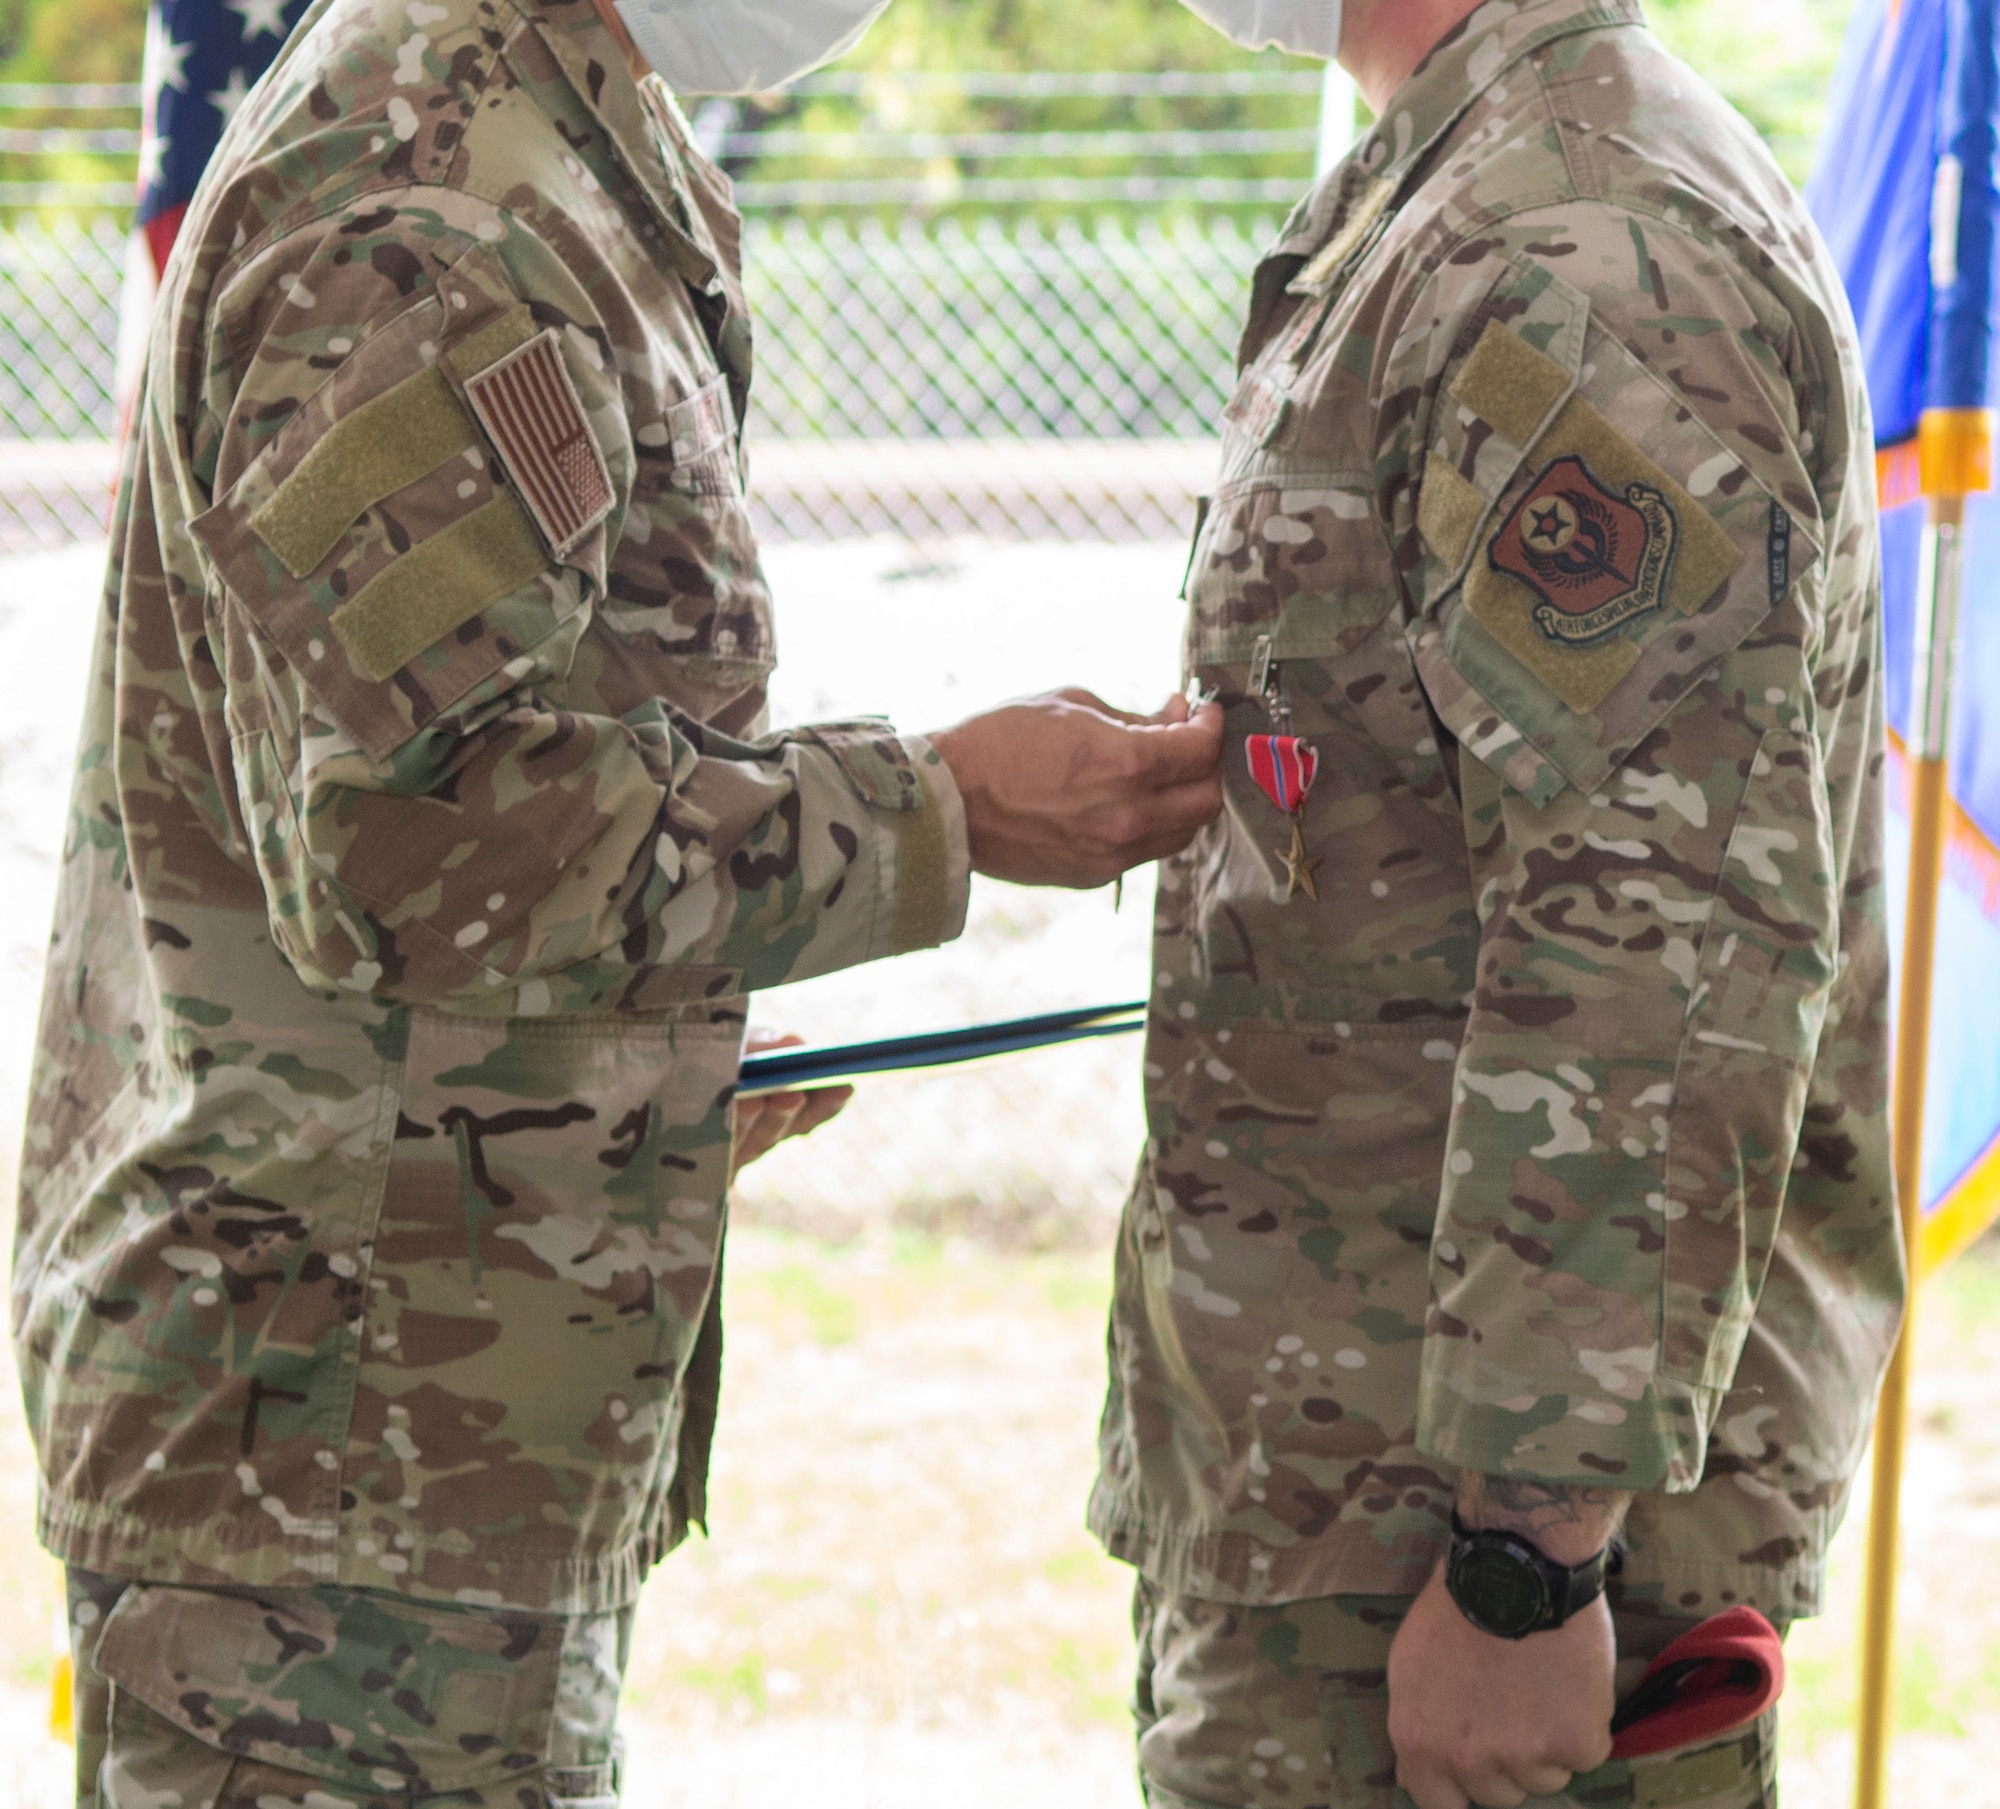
x=1549 y=1138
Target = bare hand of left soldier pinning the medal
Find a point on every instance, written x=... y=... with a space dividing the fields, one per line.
x=1065 y=791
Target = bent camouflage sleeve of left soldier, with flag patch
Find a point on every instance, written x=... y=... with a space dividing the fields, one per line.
x=467 y=773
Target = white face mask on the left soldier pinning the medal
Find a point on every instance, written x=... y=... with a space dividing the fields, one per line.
x=743 y=47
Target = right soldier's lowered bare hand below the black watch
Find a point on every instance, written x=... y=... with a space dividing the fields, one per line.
x=1497 y=1720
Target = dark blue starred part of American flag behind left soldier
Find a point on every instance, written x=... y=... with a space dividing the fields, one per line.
x=203 y=57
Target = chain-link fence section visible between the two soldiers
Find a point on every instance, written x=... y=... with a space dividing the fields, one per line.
x=1007 y=379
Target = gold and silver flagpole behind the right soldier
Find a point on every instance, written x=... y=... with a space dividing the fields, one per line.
x=1955 y=451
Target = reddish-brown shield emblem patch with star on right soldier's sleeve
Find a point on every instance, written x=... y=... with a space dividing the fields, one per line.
x=1593 y=557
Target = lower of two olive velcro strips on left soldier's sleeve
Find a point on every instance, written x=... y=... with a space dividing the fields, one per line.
x=439 y=585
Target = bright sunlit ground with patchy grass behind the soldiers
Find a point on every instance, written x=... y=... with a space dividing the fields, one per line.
x=899 y=1606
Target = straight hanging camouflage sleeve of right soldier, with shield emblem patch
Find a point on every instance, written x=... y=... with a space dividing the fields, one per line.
x=1633 y=627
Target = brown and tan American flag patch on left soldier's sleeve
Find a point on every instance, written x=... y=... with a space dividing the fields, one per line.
x=533 y=415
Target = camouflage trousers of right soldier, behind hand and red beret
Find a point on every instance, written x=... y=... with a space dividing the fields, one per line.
x=1287 y=1708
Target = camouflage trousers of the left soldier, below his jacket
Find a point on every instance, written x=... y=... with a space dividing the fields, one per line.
x=339 y=1700
